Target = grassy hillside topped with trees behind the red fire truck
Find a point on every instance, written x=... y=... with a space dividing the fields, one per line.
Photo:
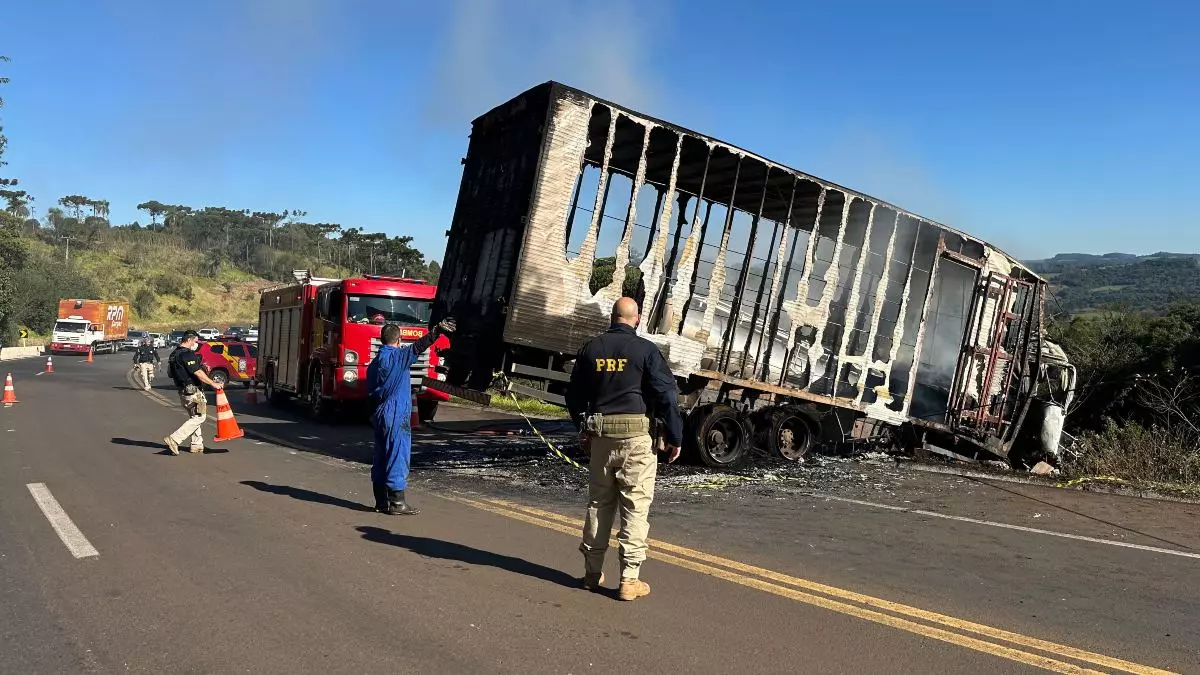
x=200 y=268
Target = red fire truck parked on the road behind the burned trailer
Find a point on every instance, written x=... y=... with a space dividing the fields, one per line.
x=319 y=336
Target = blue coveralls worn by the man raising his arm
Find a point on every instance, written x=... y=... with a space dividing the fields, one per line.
x=391 y=385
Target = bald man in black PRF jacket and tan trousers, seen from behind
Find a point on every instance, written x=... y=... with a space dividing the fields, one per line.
x=621 y=384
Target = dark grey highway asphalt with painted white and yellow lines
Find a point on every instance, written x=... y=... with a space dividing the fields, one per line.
x=263 y=557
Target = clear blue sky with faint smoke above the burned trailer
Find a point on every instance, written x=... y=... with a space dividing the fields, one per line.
x=1040 y=127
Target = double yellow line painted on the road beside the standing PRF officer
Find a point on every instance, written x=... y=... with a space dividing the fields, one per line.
x=987 y=640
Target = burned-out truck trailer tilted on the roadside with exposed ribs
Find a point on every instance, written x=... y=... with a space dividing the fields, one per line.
x=793 y=312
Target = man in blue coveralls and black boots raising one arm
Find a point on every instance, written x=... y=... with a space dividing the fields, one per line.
x=389 y=387
